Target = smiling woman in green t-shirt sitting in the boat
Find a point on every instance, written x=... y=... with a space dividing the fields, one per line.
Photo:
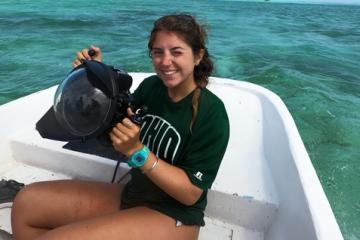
x=174 y=156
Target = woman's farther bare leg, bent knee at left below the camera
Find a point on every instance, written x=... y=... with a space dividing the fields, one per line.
x=43 y=206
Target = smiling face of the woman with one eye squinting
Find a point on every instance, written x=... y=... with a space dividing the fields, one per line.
x=174 y=61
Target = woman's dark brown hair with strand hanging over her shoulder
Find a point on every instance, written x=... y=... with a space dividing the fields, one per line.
x=195 y=35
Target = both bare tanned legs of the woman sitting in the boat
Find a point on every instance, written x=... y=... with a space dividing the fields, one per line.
x=88 y=210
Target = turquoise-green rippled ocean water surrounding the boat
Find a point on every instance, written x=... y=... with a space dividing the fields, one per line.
x=308 y=54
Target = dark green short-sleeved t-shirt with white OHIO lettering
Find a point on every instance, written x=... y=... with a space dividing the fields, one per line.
x=166 y=132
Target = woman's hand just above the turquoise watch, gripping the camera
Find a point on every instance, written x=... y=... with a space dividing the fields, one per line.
x=126 y=136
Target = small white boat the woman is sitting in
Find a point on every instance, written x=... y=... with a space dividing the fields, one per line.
x=266 y=188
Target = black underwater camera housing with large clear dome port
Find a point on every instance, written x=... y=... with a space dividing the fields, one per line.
x=88 y=103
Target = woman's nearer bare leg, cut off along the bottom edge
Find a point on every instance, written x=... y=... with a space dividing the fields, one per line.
x=139 y=223
